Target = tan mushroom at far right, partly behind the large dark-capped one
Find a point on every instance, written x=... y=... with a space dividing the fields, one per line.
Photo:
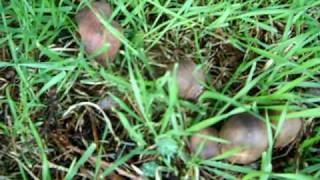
x=289 y=130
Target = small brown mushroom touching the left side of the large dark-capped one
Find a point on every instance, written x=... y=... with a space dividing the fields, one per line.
x=210 y=148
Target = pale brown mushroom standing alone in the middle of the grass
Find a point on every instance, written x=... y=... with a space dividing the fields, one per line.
x=188 y=79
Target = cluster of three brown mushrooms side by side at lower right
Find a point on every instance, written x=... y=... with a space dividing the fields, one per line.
x=247 y=133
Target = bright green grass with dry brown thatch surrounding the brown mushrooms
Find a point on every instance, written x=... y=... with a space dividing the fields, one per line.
x=257 y=55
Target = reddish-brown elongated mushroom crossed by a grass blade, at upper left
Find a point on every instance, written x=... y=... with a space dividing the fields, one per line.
x=94 y=35
